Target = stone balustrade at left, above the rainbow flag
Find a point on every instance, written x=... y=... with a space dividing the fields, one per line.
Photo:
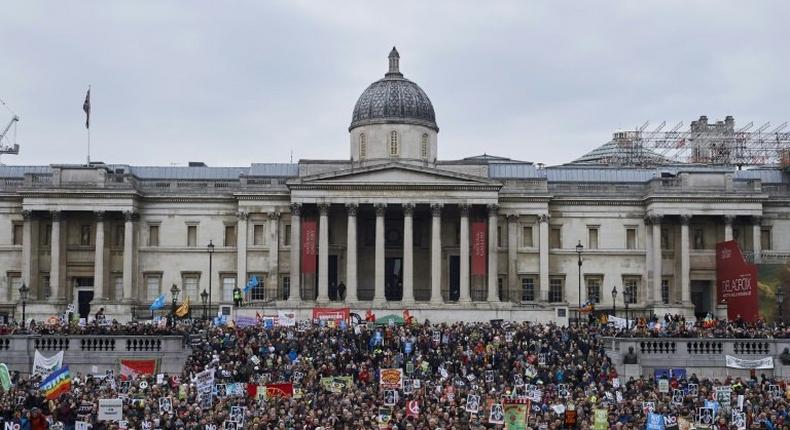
x=82 y=353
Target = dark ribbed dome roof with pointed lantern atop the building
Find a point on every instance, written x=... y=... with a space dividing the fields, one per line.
x=394 y=100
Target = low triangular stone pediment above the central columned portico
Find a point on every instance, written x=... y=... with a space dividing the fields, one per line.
x=395 y=173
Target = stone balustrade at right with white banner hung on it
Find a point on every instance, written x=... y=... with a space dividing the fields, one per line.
x=703 y=356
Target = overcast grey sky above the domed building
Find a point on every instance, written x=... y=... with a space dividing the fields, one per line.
x=235 y=82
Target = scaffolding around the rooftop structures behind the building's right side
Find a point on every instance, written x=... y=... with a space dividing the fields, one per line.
x=706 y=143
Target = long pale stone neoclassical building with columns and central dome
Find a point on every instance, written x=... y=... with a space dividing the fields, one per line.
x=392 y=227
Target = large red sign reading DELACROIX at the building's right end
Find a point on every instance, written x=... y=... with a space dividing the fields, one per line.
x=737 y=282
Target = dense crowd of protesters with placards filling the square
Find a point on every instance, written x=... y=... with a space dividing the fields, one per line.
x=456 y=375
